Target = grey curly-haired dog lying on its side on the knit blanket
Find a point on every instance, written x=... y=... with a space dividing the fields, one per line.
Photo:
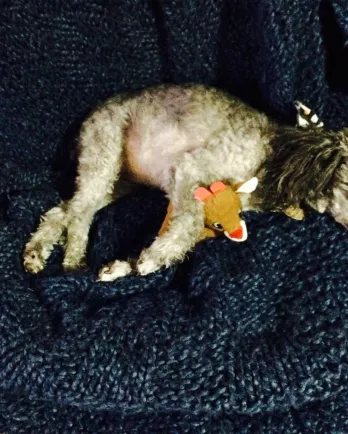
x=177 y=138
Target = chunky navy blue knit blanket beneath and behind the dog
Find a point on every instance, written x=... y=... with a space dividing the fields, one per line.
x=240 y=338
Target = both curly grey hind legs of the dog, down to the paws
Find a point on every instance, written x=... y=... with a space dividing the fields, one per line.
x=101 y=143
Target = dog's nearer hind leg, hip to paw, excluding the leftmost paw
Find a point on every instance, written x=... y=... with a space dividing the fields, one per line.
x=100 y=160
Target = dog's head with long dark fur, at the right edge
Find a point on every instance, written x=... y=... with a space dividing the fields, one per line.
x=307 y=167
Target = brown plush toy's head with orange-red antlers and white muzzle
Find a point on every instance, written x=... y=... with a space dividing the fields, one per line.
x=222 y=208
